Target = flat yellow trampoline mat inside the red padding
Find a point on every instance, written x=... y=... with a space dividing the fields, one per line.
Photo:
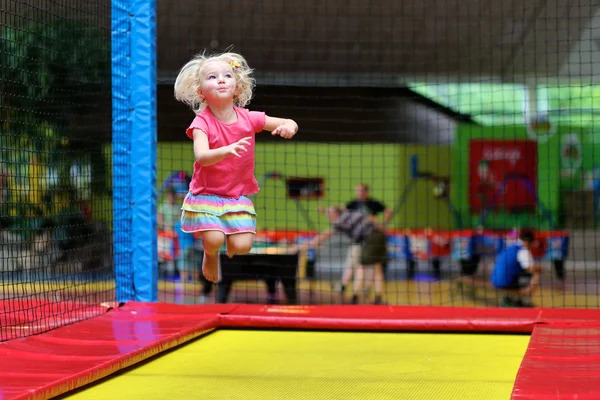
x=255 y=364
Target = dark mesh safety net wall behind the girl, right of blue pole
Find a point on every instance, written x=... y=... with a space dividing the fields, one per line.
x=467 y=120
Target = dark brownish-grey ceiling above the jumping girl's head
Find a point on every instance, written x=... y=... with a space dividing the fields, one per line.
x=379 y=42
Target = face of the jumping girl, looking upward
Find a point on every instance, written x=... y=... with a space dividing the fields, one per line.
x=217 y=83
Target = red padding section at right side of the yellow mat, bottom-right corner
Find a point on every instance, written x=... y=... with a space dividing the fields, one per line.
x=561 y=362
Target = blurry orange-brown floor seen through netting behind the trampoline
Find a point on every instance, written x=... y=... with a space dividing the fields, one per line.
x=579 y=291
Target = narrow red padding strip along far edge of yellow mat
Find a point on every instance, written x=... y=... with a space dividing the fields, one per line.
x=369 y=318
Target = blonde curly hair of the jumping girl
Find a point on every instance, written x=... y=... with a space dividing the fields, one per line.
x=189 y=79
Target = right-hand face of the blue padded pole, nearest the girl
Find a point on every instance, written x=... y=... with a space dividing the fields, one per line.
x=143 y=160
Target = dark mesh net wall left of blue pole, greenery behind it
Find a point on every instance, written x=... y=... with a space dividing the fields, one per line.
x=55 y=145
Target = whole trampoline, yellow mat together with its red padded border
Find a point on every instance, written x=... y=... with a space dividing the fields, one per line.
x=158 y=350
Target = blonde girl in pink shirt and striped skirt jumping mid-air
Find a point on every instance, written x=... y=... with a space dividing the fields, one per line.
x=217 y=87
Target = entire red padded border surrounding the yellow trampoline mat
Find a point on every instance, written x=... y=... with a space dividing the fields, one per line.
x=563 y=359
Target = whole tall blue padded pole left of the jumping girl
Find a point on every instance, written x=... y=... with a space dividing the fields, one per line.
x=134 y=149
